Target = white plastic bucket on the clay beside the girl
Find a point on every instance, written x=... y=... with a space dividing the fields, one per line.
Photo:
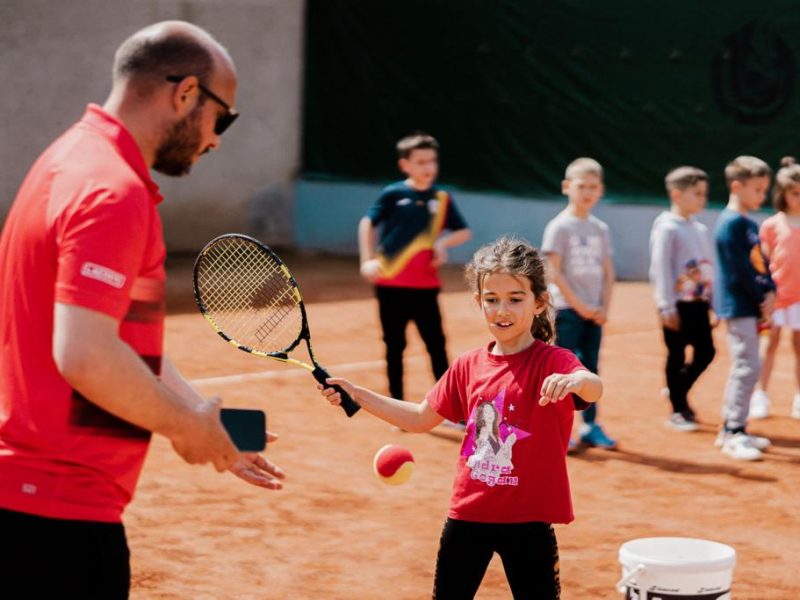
x=676 y=569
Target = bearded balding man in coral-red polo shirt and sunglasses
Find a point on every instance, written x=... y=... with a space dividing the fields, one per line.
x=83 y=379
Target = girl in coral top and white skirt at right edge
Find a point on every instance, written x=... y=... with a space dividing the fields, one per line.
x=780 y=243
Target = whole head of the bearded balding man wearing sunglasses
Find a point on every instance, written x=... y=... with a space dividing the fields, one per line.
x=175 y=90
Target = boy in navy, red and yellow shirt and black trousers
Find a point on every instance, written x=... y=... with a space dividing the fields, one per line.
x=418 y=223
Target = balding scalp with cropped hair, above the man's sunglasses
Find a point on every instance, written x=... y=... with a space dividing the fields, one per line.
x=169 y=48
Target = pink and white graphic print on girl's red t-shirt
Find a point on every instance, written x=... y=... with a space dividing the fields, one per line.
x=490 y=442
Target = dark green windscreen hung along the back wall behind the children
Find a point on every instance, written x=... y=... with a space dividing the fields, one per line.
x=515 y=90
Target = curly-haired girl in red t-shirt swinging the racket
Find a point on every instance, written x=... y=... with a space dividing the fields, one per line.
x=502 y=501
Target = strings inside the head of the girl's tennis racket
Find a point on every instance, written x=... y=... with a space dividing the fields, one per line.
x=249 y=296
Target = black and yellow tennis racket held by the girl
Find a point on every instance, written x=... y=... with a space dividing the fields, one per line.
x=247 y=294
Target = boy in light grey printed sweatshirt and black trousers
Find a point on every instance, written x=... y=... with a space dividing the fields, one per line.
x=681 y=272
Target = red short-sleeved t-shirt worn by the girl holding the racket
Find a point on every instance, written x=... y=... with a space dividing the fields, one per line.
x=512 y=465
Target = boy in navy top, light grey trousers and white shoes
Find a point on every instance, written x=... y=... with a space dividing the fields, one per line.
x=744 y=294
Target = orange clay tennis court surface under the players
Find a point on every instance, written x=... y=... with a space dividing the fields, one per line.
x=336 y=532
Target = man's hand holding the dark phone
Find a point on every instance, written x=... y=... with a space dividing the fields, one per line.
x=203 y=439
